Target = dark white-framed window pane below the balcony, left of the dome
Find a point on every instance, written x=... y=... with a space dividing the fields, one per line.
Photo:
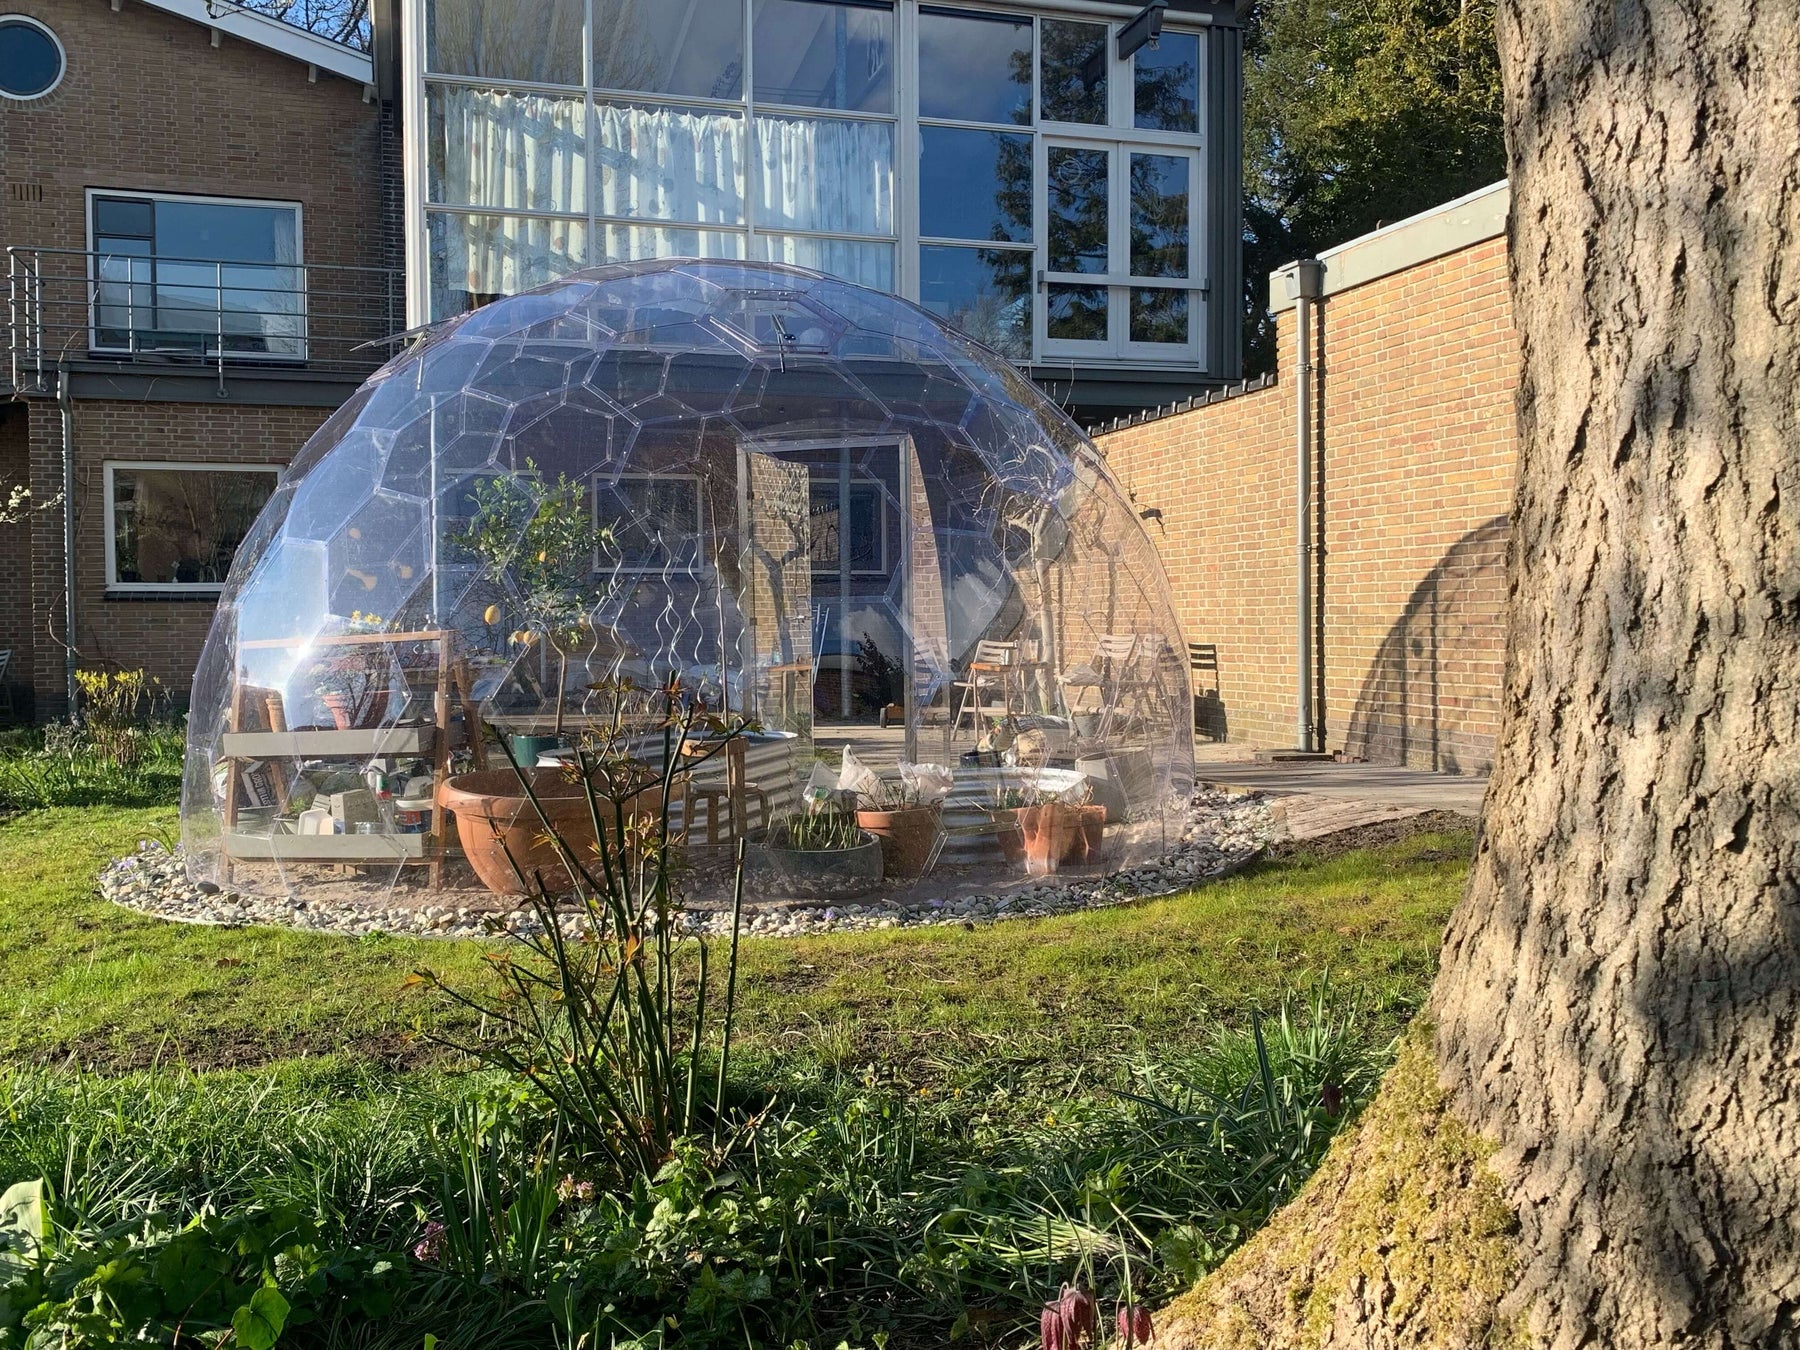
x=181 y=526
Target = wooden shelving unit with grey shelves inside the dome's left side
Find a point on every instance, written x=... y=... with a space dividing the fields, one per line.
x=246 y=746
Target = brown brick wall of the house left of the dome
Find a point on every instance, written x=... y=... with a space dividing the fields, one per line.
x=150 y=105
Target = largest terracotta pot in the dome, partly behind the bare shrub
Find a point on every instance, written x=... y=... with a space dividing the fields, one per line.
x=499 y=827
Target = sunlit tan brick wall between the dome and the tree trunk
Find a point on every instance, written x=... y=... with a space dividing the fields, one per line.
x=1414 y=472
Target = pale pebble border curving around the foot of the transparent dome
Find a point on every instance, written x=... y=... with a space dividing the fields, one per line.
x=1225 y=832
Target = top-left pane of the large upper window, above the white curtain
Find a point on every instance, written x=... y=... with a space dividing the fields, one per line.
x=535 y=40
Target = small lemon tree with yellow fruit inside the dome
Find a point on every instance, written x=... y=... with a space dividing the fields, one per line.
x=541 y=541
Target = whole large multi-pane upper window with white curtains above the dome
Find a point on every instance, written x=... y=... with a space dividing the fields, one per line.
x=1050 y=201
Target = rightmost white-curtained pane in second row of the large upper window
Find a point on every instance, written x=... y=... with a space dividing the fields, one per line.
x=816 y=174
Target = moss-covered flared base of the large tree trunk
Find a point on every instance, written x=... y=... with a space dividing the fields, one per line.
x=1403 y=1239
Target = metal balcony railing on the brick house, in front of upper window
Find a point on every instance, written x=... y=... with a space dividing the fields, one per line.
x=152 y=310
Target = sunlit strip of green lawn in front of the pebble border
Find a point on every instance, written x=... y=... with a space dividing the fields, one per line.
x=107 y=989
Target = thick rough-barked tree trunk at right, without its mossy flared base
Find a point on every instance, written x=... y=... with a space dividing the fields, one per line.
x=1621 y=993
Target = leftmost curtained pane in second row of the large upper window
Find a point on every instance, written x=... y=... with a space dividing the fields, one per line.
x=516 y=152
